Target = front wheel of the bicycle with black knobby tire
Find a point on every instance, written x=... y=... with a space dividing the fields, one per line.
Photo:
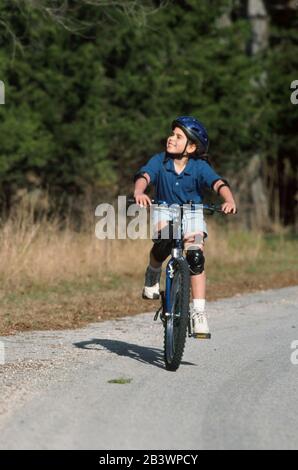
x=177 y=319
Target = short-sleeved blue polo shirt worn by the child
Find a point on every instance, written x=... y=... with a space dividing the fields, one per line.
x=175 y=188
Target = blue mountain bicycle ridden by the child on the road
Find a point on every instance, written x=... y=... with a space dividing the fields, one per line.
x=174 y=311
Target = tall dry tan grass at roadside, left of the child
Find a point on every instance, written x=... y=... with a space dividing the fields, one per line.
x=40 y=252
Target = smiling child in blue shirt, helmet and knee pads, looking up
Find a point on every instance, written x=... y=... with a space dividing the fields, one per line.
x=179 y=175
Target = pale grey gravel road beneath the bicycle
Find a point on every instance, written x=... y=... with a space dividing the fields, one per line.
x=237 y=391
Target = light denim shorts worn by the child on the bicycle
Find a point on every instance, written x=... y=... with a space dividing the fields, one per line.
x=192 y=221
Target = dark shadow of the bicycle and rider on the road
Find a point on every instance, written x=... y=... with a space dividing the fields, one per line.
x=152 y=356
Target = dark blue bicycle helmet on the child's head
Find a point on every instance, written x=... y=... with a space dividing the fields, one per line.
x=194 y=130
